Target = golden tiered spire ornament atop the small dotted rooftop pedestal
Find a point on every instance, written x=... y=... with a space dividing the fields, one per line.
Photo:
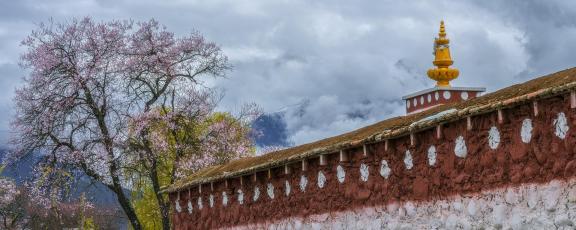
x=442 y=74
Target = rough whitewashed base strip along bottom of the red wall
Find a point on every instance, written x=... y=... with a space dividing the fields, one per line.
x=545 y=206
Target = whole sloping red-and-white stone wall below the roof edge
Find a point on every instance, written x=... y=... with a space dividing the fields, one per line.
x=512 y=170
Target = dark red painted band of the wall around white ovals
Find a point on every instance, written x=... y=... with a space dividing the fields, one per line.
x=545 y=158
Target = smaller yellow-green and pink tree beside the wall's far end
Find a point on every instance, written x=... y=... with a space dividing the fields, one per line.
x=177 y=140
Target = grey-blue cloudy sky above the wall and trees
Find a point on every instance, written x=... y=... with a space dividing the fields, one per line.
x=327 y=67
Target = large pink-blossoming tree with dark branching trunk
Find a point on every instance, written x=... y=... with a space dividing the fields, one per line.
x=87 y=81
